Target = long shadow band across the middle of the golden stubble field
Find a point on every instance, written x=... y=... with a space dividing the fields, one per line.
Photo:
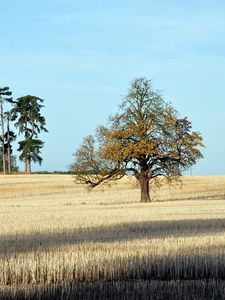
x=35 y=241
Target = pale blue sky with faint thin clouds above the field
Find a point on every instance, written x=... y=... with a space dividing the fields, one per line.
x=80 y=56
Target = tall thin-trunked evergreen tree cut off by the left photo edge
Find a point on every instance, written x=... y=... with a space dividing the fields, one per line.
x=5 y=96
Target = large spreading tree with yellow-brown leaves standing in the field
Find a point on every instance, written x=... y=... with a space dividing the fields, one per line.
x=146 y=139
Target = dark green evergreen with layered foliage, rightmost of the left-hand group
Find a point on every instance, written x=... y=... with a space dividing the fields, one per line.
x=30 y=122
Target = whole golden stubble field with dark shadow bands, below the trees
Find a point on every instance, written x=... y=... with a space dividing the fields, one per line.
x=59 y=241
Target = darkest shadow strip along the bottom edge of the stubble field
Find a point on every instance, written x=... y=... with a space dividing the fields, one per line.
x=127 y=290
